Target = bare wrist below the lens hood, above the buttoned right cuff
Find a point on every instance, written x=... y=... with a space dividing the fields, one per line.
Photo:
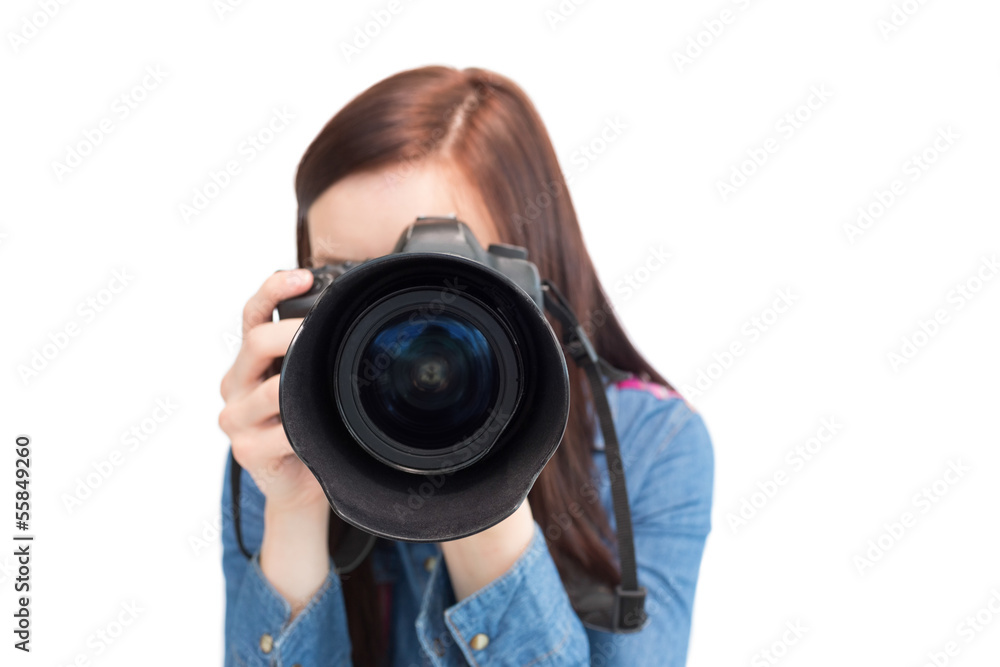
x=475 y=561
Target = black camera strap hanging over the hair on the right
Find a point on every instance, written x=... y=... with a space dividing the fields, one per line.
x=626 y=611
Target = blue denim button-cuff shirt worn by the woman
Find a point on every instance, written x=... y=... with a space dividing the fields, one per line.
x=525 y=614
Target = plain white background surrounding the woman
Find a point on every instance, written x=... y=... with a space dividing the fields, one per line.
x=169 y=333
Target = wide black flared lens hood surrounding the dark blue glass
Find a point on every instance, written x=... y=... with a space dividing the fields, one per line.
x=431 y=501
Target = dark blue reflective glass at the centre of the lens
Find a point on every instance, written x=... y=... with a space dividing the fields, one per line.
x=433 y=379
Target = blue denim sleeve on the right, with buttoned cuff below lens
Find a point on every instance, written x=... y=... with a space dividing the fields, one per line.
x=525 y=617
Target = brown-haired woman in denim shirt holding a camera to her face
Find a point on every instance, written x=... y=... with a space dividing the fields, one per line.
x=436 y=141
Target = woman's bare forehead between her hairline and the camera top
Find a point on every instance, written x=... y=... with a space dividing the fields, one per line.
x=362 y=215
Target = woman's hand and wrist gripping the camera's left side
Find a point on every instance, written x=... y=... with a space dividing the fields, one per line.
x=293 y=553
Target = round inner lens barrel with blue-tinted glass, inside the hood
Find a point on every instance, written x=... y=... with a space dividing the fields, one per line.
x=434 y=379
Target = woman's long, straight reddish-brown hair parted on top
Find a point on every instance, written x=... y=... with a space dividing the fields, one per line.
x=484 y=124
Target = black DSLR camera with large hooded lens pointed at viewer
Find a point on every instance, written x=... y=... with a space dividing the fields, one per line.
x=425 y=389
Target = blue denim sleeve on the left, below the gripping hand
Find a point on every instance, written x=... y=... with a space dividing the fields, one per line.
x=259 y=629
